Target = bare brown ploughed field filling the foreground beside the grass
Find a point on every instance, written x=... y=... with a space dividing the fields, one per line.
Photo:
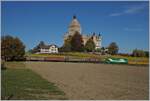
x=95 y=81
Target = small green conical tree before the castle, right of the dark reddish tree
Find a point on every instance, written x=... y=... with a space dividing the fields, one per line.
x=90 y=45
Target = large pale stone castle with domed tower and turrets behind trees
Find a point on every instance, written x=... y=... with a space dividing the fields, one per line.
x=76 y=27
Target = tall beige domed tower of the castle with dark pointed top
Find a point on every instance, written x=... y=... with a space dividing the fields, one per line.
x=74 y=26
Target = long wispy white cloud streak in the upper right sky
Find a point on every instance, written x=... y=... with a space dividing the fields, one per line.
x=131 y=10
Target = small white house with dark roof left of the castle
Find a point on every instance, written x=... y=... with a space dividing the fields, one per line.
x=49 y=49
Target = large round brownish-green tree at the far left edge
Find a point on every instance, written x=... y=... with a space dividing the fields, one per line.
x=12 y=48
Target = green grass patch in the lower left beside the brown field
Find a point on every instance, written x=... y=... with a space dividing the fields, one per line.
x=24 y=84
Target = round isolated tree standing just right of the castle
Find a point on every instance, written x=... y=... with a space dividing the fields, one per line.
x=113 y=48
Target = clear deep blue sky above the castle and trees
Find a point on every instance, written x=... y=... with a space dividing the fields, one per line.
x=123 y=22
